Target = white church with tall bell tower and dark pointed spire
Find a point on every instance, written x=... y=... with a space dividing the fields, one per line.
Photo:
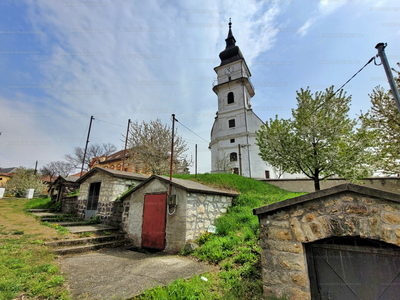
x=233 y=134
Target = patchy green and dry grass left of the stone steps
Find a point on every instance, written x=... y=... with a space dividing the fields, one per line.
x=27 y=268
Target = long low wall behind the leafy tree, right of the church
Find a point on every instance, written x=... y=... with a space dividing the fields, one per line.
x=389 y=184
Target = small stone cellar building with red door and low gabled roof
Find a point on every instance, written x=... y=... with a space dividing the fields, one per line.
x=165 y=214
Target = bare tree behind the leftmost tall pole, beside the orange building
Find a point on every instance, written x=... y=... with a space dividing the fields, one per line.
x=93 y=151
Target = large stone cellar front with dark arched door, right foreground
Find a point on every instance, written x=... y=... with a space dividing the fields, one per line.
x=339 y=243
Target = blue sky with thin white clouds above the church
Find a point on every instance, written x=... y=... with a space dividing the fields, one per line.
x=64 y=60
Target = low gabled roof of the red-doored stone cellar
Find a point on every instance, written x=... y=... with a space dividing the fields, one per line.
x=187 y=185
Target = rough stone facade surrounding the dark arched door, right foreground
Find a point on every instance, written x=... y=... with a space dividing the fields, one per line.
x=283 y=233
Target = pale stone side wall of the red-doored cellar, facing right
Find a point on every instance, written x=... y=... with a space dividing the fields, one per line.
x=202 y=210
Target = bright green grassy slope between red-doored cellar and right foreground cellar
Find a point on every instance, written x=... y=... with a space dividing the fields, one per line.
x=234 y=248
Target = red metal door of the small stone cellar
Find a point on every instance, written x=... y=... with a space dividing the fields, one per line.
x=154 y=213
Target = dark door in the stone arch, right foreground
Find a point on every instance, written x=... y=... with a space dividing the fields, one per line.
x=345 y=272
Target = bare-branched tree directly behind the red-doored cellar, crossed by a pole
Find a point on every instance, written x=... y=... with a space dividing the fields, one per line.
x=150 y=147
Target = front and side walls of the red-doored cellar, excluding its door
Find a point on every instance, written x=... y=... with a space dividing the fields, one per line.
x=195 y=211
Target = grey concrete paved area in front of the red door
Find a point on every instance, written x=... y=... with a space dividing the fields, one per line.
x=121 y=274
